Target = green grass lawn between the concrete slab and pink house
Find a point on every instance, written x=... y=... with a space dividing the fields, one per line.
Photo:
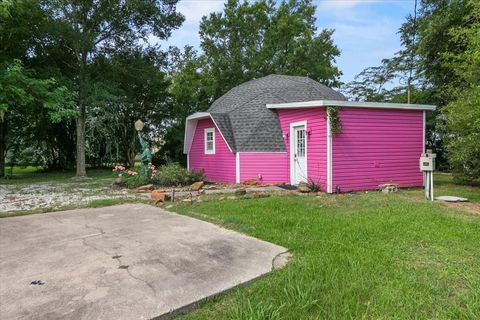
x=355 y=256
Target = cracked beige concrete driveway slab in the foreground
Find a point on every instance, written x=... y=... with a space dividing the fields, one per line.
x=120 y=262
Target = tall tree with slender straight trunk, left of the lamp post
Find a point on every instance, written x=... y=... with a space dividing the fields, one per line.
x=90 y=30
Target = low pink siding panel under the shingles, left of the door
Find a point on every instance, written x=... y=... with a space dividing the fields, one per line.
x=271 y=167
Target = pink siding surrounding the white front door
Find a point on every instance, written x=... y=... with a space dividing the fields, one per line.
x=316 y=140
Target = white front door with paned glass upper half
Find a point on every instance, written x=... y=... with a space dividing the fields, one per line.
x=299 y=154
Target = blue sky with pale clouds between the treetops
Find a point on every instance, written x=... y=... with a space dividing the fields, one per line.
x=365 y=30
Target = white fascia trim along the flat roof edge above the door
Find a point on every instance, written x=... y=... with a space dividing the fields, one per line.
x=355 y=104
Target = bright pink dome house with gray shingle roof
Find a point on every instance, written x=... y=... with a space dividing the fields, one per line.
x=277 y=129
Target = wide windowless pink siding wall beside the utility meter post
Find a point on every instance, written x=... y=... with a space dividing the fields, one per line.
x=377 y=146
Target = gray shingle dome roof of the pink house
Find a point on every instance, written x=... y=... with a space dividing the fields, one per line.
x=245 y=122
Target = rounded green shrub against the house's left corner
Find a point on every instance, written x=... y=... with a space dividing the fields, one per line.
x=176 y=175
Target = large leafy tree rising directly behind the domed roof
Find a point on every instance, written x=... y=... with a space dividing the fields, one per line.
x=251 y=40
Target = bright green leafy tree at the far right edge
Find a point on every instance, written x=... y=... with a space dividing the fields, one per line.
x=462 y=116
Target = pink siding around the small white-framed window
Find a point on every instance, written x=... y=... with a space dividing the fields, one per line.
x=219 y=166
